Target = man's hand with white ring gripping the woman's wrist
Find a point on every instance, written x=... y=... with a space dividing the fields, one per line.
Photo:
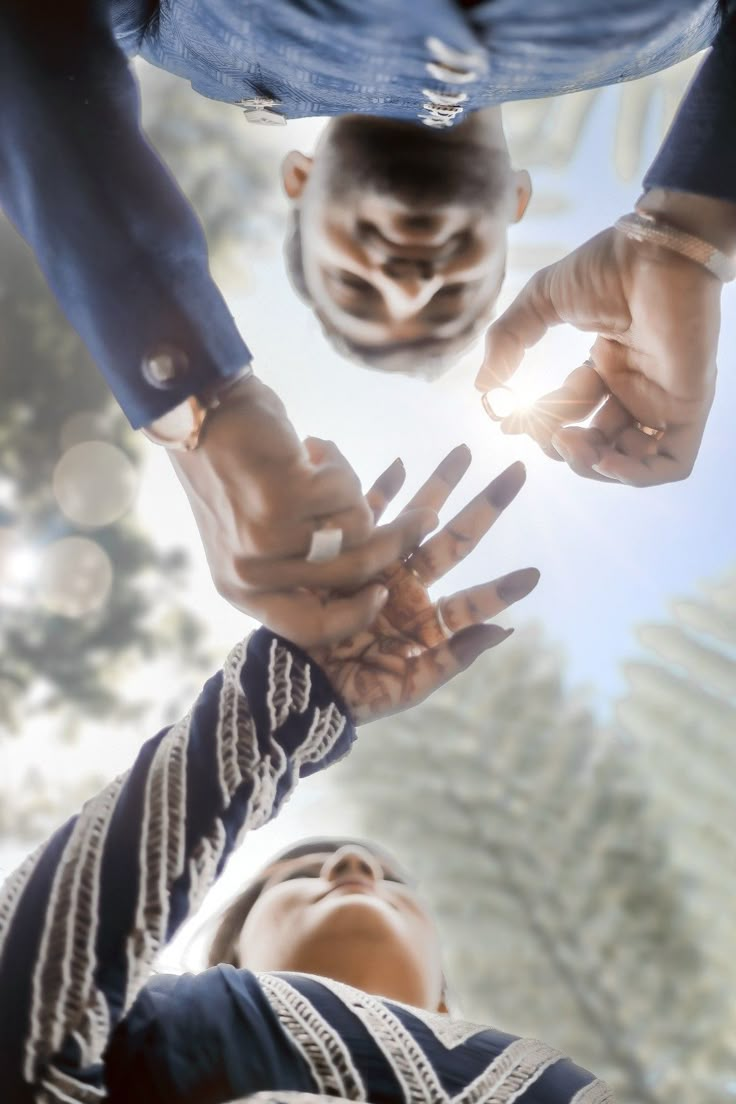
x=259 y=494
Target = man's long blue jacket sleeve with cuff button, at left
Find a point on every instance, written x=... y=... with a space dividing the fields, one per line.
x=118 y=241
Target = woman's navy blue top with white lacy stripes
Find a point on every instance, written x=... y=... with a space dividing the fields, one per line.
x=83 y=919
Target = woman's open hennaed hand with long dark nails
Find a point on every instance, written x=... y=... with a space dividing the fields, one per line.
x=417 y=645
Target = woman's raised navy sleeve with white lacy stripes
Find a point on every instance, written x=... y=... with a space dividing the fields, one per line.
x=83 y=918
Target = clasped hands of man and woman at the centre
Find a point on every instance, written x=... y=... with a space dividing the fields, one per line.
x=259 y=494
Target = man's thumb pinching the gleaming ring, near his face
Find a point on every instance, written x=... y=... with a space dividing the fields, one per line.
x=520 y=327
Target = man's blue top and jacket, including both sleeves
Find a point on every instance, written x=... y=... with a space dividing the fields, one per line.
x=120 y=246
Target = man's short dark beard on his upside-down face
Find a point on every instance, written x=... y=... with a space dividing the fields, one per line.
x=414 y=165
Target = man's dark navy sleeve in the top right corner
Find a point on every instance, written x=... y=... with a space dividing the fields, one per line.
x=699 y=154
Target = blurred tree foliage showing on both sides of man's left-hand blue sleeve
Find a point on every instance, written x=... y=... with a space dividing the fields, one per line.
x=52 y=399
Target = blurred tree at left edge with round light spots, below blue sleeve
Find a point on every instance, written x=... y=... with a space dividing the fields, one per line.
x=47 y=660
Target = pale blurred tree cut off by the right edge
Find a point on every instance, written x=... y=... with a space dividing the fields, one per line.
x=681 y=710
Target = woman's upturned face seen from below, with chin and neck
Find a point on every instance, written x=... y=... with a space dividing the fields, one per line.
x=348 y=916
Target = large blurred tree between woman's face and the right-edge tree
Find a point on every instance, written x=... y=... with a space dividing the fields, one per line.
x=535 y=842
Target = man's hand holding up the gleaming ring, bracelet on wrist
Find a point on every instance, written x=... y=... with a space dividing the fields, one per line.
x=654 y=364
